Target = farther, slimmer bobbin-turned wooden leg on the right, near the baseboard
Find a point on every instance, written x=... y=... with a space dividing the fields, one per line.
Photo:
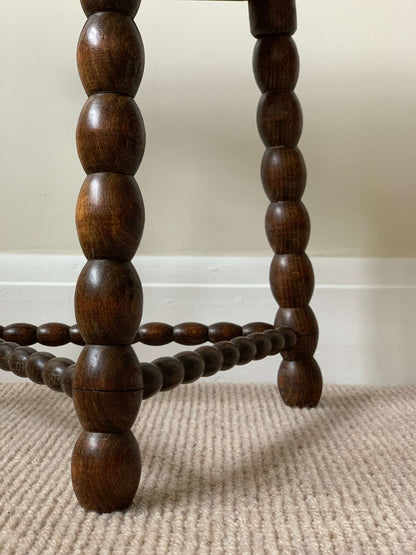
x=279 y=120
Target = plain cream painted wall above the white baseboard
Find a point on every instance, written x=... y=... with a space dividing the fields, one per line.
x=199 y=177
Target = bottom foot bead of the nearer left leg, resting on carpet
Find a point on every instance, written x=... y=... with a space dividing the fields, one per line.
x=105 y=470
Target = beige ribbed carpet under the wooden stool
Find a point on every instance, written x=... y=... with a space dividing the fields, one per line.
x=226 y=469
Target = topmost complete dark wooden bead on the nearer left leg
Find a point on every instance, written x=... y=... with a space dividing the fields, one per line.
x=110 y=54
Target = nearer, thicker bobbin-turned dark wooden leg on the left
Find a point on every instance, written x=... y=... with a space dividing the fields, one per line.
x=108 y=384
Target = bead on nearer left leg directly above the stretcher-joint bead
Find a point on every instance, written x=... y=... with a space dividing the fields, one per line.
x=108 y=302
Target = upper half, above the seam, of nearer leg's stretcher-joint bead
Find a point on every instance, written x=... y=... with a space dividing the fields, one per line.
x=108 y=368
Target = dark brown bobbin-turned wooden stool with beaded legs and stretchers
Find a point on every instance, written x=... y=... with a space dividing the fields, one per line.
x=108 y=383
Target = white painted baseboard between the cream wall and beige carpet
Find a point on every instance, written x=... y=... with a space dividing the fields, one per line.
x=366 y=308
